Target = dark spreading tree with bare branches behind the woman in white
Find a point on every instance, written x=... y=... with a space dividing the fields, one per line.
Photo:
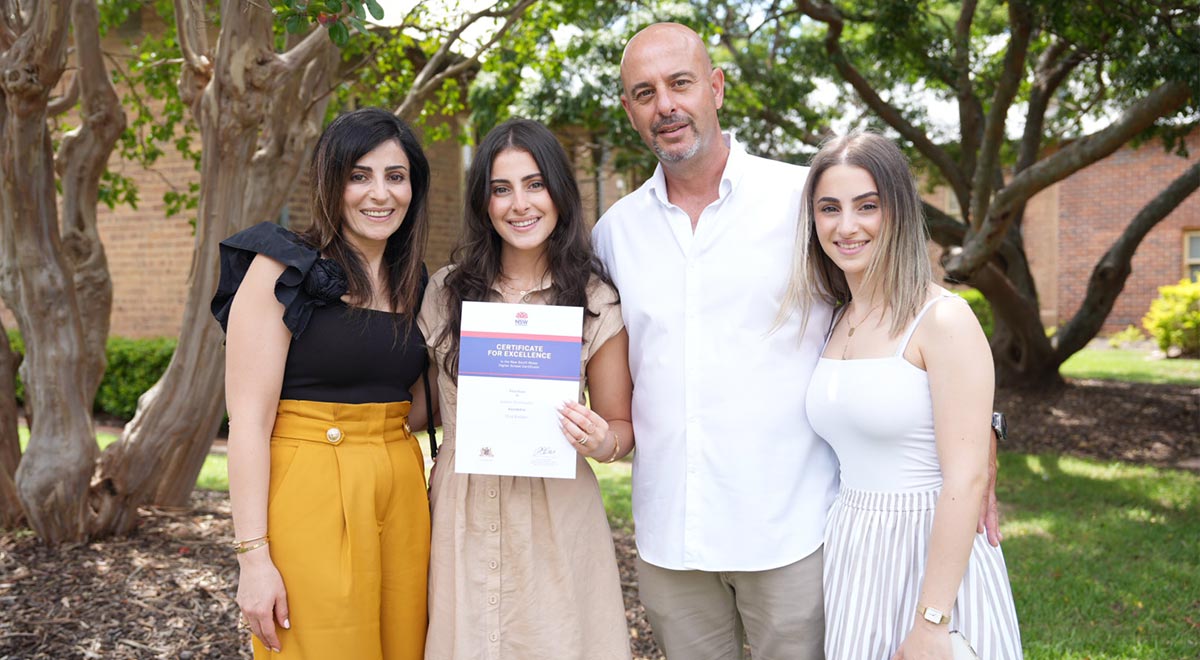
x=987 y=250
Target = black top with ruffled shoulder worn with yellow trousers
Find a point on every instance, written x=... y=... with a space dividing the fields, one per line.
x=339 y=355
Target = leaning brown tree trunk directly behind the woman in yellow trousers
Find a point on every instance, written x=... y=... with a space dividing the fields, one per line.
x=260 y=117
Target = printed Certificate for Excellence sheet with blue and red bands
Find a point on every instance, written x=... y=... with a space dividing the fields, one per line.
x=517 y=365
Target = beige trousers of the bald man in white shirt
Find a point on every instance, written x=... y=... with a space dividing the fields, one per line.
x=710 y=616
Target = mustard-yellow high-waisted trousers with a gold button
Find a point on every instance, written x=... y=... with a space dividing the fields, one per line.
x=350 y=523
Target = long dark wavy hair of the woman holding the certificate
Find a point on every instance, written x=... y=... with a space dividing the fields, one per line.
x=476 y=261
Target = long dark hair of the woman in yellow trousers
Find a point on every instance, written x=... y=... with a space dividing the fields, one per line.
x=345 y=141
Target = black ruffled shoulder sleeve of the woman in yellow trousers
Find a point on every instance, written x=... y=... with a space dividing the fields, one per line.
x=308 y=281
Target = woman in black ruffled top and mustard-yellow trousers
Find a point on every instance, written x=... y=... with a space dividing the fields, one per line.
x=327 y=482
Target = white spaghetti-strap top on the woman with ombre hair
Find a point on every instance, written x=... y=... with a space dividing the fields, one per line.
x=879 y=417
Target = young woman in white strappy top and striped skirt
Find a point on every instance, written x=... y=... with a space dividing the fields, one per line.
x=903 y=393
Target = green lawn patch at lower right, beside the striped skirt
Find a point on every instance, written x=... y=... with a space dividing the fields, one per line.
x=1103 y=557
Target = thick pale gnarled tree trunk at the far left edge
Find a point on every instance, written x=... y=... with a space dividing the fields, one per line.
x=57 y=467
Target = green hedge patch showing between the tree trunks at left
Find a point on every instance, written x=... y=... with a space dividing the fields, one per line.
x=134 y=368
